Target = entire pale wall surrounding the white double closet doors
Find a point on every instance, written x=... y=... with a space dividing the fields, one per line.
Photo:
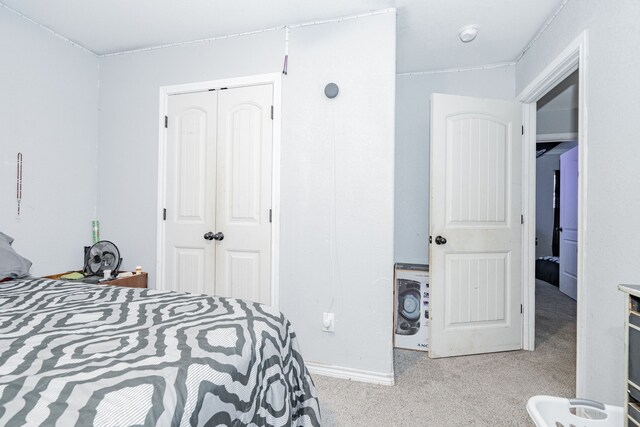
x=359 y=55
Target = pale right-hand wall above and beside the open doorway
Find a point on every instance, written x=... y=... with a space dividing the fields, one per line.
x=612 y=195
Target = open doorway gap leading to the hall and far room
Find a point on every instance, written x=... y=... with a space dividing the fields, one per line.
x=555 y=257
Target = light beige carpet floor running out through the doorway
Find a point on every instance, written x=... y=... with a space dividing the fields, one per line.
x=482 y=390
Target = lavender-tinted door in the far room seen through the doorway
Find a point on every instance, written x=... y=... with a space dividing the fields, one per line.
x=569 y=222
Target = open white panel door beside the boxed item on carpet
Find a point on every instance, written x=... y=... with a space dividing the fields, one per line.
x=475 y=208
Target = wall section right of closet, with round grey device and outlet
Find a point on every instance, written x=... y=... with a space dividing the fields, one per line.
x=360 y=57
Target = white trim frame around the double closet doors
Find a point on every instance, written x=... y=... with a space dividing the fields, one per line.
x=165 y=91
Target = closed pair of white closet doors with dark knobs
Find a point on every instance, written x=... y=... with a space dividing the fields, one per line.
x=218 y=193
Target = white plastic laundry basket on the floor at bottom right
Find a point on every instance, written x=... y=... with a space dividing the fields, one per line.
x=550 y=411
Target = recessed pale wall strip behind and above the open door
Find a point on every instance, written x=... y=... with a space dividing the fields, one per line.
x=412 y=146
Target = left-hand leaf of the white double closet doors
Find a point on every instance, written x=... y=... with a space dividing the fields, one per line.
x=190 y=191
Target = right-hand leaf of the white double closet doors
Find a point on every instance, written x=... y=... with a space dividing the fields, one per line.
x=245 y=131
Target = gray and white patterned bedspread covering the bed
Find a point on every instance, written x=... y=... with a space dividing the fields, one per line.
x=74 y=354
